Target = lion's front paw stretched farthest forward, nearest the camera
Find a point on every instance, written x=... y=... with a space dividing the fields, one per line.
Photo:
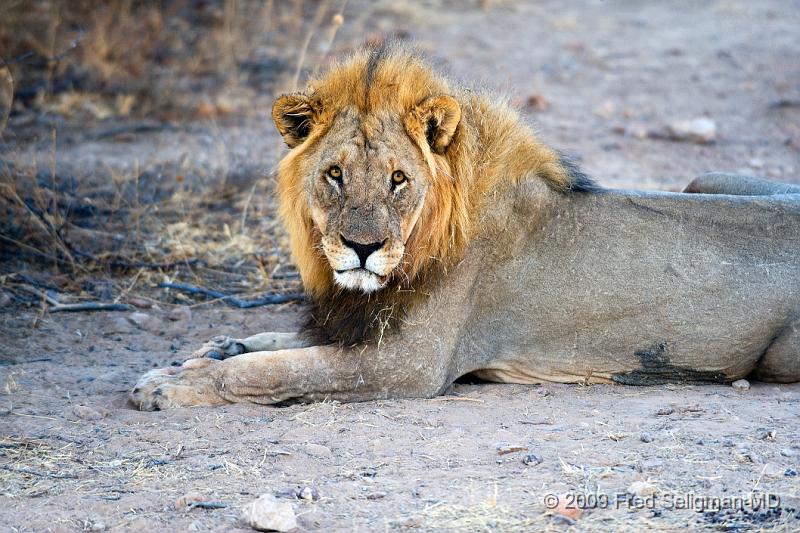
x=189 y=385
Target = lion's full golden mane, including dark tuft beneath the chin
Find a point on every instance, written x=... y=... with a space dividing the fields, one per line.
x=490 y=144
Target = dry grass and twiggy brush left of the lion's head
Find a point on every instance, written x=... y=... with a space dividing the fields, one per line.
x=135 y=67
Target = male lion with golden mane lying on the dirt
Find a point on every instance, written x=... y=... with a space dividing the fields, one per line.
x=437 y=237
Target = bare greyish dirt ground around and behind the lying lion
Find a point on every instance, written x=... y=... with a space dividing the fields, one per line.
x=597 y=78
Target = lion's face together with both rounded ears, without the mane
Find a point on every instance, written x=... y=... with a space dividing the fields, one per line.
x=364 y=178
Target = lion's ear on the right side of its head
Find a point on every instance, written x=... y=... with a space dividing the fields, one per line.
x=434 y=119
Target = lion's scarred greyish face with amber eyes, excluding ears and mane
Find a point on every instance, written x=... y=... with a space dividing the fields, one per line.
x=366 y=187
